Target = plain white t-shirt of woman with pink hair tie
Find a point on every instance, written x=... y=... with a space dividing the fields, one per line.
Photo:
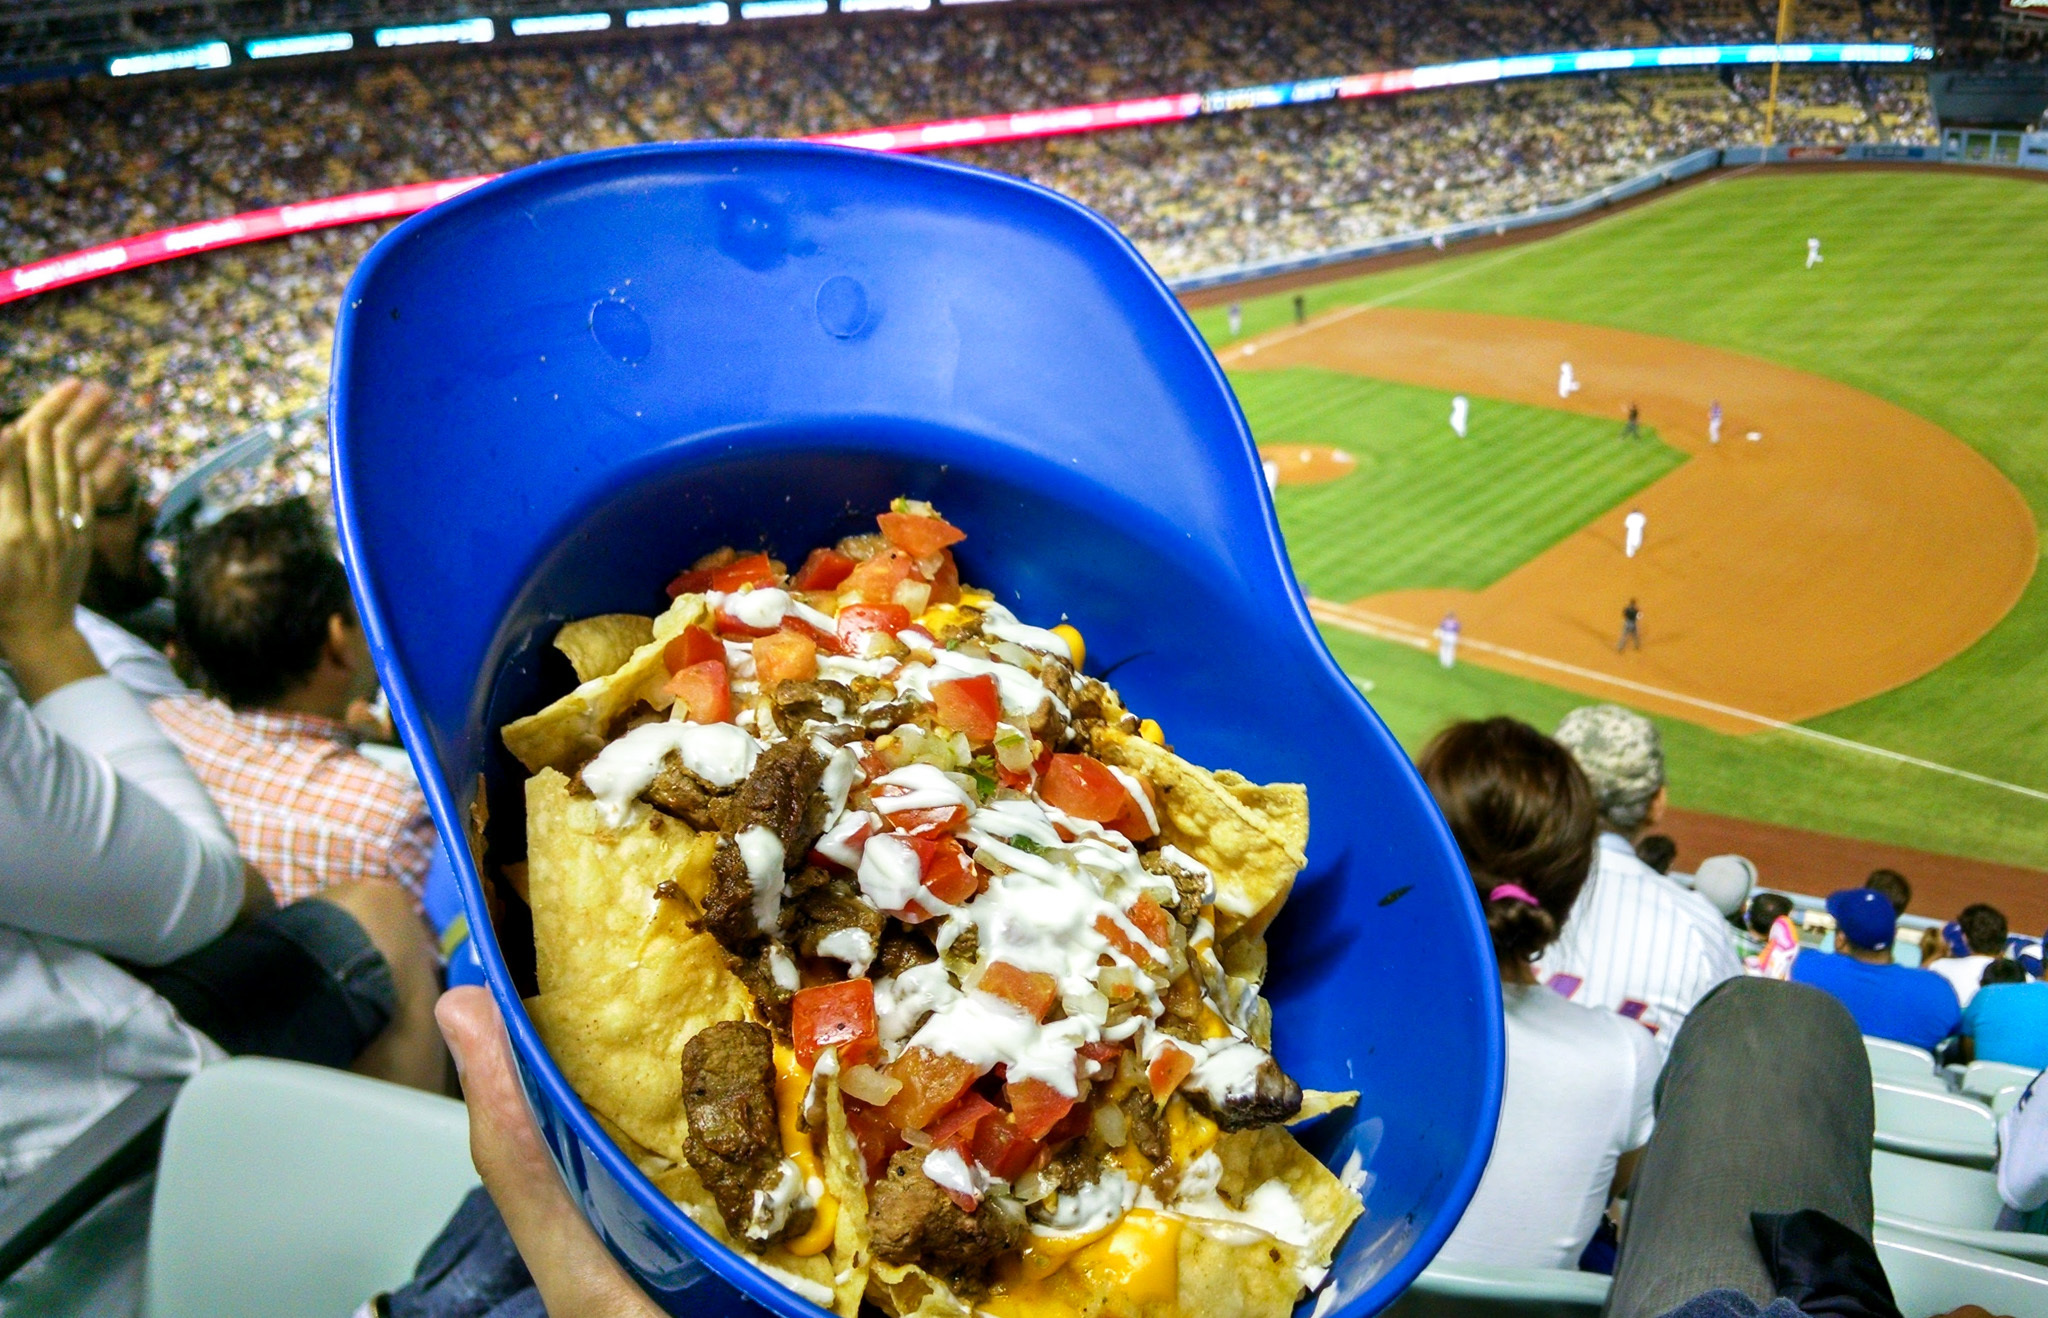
x=1580 y=1094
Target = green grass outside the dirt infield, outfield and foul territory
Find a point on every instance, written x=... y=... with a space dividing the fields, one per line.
x=1928 y=298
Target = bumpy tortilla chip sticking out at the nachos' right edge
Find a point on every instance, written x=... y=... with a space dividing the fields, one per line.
x=1248 y=836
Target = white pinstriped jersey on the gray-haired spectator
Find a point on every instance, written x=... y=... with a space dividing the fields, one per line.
x=1639 y=944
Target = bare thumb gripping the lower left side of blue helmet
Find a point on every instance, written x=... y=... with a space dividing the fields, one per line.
x=570 y=1266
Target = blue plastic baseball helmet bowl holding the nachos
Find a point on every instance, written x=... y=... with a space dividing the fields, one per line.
x=556 y=390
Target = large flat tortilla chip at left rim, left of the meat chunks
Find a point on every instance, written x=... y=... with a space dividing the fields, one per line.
x=593 y=889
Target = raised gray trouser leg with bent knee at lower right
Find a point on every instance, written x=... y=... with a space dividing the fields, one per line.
x=1764 y=1106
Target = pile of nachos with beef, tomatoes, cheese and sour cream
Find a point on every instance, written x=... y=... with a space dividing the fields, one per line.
x=898 y=955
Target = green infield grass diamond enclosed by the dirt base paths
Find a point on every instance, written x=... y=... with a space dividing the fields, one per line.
x=1424 y=507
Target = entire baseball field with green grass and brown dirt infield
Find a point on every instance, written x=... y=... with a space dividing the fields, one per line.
x=1844 y=629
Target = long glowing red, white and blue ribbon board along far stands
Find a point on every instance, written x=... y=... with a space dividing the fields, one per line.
x=980 y=130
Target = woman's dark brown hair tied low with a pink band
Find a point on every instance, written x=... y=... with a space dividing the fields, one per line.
x=1525 y=816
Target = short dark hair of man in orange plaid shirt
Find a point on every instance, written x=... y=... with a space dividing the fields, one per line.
x=255 y=597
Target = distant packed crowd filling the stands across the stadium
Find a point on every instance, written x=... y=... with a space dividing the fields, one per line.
x=220 y=343
